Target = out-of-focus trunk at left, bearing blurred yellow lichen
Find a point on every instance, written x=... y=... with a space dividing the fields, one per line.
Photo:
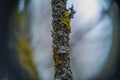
x=20 y=42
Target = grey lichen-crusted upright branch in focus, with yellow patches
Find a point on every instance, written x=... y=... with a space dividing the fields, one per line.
x=60 y=33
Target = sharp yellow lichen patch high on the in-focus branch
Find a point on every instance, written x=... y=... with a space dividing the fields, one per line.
x=66 y=21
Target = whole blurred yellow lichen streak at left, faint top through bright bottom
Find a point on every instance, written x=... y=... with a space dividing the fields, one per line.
x=23 y=48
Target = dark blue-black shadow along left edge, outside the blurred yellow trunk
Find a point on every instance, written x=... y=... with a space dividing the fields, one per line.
x=10 y=68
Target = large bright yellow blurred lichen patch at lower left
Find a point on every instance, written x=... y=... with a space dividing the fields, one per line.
x=25 y=55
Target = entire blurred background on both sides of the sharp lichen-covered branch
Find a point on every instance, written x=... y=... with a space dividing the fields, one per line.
x=26 y=42
